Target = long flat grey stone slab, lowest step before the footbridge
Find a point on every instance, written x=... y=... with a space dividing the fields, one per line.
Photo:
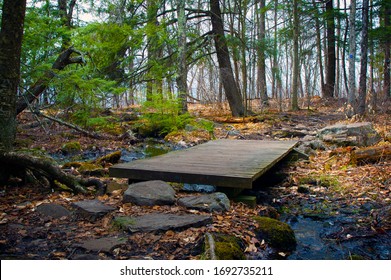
x=161 y=221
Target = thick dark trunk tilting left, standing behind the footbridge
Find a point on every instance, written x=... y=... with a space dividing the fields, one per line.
x=223 y=57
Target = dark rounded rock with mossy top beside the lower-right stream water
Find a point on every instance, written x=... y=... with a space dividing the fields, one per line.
x=278 y=234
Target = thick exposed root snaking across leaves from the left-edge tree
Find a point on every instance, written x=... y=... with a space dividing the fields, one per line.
x=11 y=161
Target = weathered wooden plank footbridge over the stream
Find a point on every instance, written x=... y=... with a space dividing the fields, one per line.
x=224 y=163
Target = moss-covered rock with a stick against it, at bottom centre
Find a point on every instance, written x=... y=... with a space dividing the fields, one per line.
x=225 y=247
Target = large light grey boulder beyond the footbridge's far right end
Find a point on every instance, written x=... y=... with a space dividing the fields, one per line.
x=356 y=134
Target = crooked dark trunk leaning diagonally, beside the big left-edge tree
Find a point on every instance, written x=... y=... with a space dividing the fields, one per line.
x=63 y=60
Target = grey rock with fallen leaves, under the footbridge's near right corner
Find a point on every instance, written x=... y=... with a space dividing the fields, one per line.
x=216 y=202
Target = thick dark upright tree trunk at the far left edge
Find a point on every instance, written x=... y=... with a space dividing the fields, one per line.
x=11 y=36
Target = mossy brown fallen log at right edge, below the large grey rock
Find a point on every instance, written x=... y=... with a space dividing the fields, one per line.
x=370 y=154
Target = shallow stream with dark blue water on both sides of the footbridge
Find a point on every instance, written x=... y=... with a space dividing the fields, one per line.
x=320 y=236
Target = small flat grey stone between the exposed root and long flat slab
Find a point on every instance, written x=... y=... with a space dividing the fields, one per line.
x=91 y=210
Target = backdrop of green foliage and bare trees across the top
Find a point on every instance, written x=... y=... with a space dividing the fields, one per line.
x=131 y=50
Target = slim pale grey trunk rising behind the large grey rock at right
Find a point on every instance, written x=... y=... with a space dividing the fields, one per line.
x=352 y=60
